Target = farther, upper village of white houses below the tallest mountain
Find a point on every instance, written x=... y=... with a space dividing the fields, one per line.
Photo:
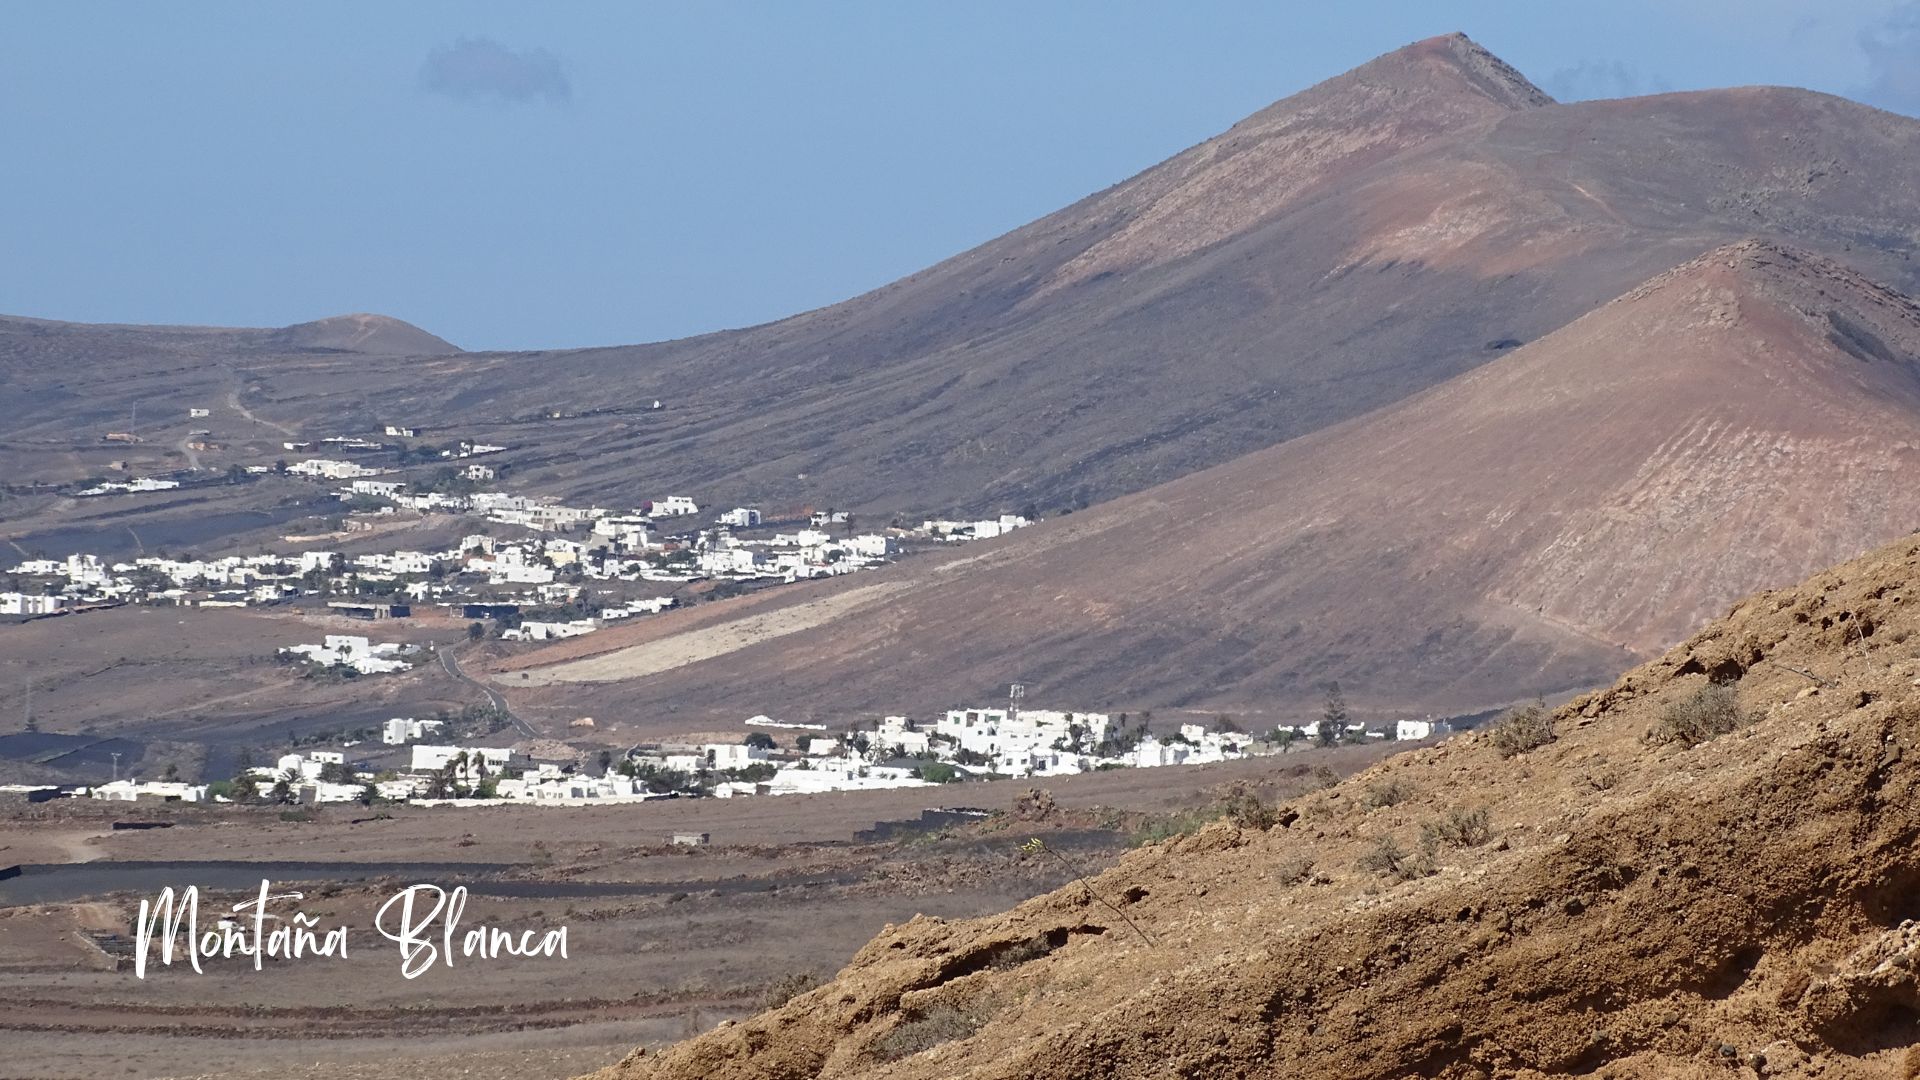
x=548 y=566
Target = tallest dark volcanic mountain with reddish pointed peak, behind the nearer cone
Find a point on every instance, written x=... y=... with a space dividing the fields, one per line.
x=1347 y=247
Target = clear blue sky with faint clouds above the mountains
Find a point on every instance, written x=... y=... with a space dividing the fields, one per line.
x=517 y=176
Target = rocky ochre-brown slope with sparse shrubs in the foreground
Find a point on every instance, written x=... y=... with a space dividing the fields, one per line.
x=1710 y=870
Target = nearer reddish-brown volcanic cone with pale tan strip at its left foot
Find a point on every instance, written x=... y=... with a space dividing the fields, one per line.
x=1524 y=529
